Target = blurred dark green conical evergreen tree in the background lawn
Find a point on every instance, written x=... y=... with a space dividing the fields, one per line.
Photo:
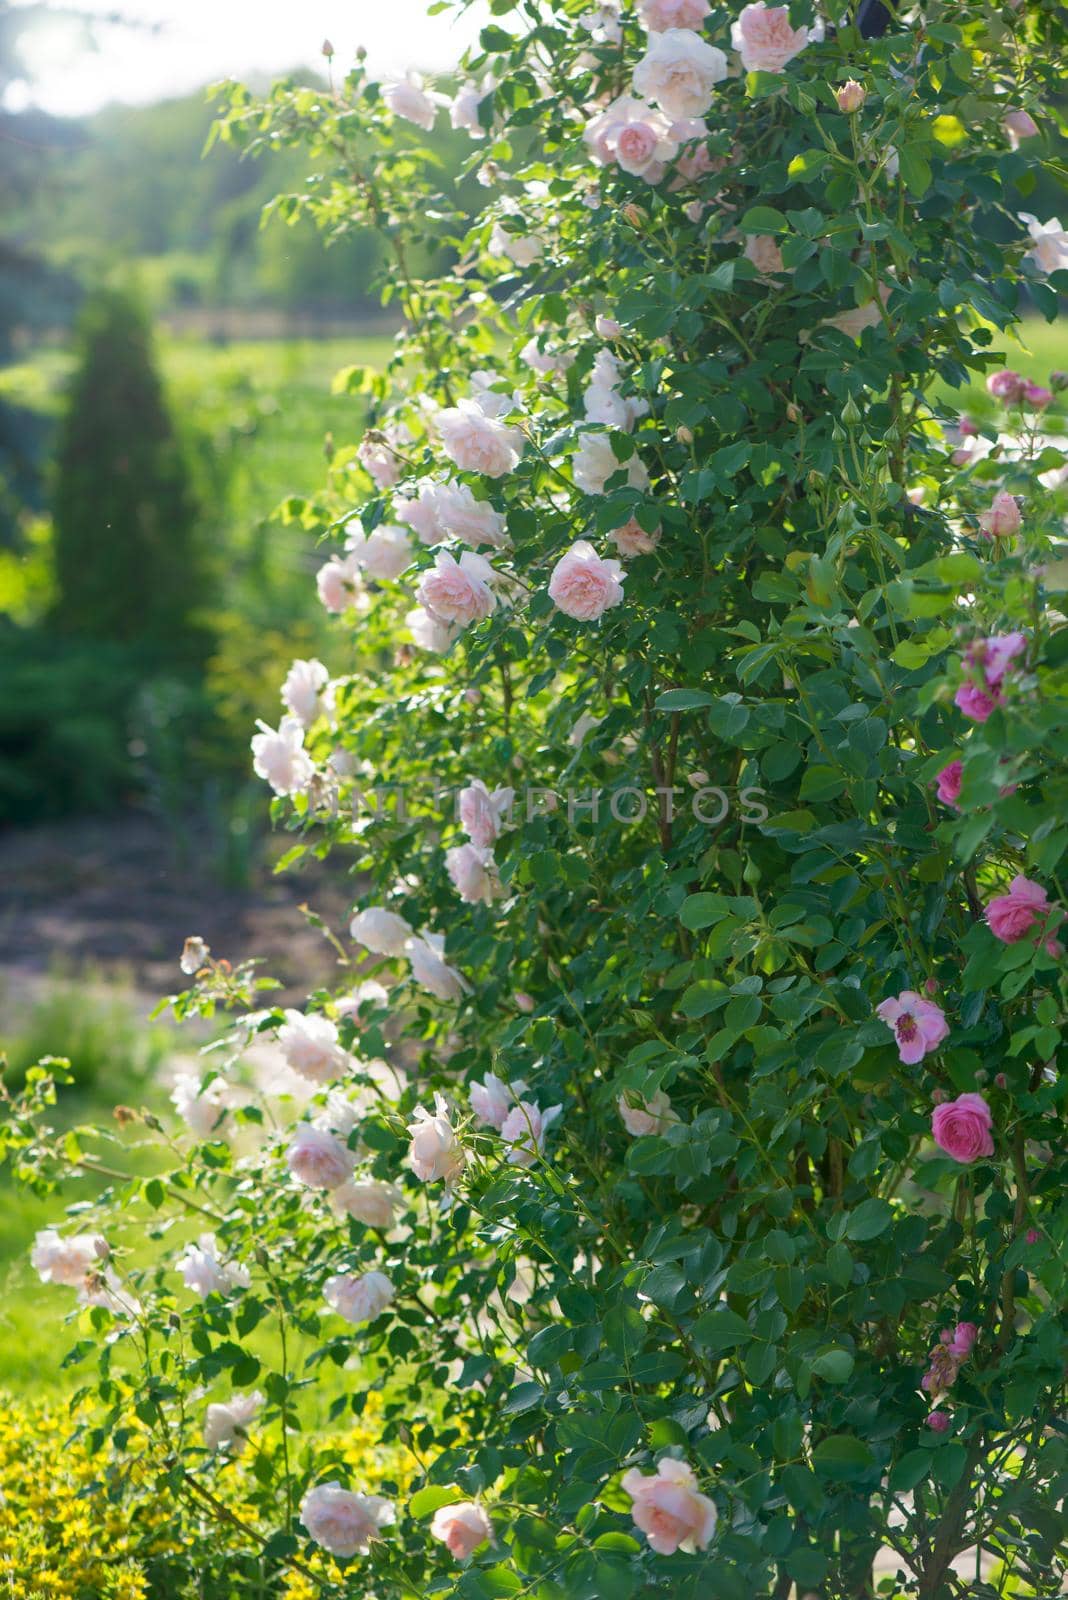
x=127 y=558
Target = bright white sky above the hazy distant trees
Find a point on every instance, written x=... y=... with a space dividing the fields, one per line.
x=202 y=41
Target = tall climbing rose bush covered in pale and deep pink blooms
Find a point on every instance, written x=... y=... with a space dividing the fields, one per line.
x=677 y=1159
